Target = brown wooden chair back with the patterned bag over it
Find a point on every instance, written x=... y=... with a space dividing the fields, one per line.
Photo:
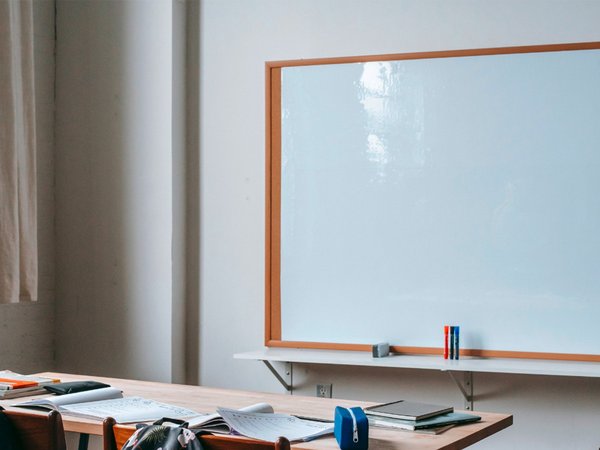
x=114 y=436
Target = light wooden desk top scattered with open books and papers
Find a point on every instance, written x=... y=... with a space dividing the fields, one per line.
x=206 y=400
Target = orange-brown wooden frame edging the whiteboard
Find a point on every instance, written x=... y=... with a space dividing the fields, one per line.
x=273 y=330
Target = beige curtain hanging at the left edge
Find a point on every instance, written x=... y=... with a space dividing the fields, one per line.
x=18 y=186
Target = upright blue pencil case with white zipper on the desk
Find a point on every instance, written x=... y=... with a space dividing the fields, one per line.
x=351 y=428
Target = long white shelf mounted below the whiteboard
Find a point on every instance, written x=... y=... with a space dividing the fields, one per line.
x=494 y=365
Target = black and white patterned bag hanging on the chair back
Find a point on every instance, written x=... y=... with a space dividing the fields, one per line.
x=163 y=437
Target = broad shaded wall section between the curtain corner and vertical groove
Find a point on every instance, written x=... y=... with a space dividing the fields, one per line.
x=114 y=186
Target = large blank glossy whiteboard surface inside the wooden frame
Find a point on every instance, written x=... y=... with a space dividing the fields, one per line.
x=417 y=193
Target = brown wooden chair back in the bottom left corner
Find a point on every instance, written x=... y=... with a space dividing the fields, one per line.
x=36 y=431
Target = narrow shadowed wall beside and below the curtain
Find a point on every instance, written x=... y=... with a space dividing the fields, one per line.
x=27 y=329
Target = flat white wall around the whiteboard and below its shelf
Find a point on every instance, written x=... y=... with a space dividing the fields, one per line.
x=237 y=37
